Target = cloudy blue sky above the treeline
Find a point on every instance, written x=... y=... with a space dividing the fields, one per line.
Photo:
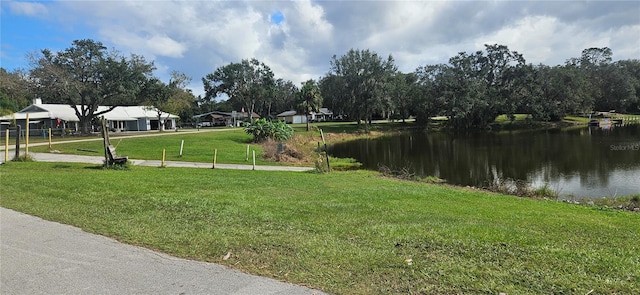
x=297 y=39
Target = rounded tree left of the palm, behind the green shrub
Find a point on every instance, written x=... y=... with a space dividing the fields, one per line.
x=248 y=84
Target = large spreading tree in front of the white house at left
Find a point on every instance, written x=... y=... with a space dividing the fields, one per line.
x=86 y=76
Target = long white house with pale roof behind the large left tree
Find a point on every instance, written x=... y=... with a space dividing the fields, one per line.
x=121 y=118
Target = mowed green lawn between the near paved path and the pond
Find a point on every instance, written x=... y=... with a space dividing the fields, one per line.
x=344 y=232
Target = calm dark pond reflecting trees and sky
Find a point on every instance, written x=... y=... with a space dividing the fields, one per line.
x=586 y=162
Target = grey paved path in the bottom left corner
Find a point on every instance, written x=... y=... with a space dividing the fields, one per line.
x=43 y=257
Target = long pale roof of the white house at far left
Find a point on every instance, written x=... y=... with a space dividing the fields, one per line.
x=67 y=113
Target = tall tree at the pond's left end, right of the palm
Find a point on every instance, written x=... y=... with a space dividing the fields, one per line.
x=363 y=74
